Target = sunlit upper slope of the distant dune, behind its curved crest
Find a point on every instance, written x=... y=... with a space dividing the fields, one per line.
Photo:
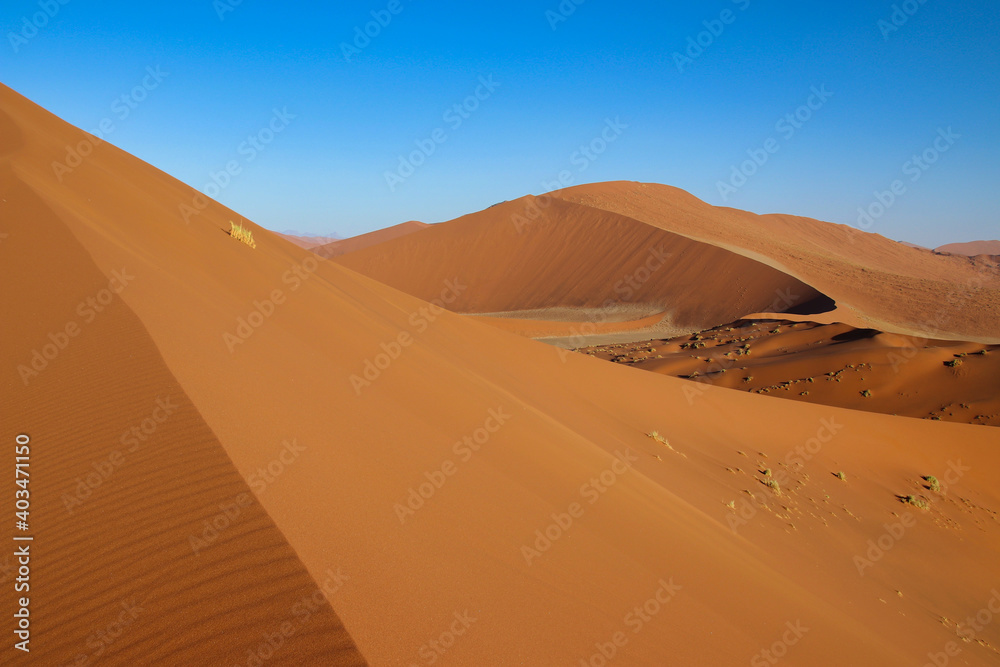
x=888 y=285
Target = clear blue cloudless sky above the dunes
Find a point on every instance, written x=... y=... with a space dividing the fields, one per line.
x=924 y=83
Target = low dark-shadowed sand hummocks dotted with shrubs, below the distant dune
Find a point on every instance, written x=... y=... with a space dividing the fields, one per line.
x=831 y=364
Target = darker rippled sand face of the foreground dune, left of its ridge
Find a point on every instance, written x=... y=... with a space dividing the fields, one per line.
x=114 y=576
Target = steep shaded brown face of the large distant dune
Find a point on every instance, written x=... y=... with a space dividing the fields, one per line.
x=574 y=256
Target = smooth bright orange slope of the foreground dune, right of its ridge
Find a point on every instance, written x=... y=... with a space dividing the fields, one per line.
x=494 y=500
